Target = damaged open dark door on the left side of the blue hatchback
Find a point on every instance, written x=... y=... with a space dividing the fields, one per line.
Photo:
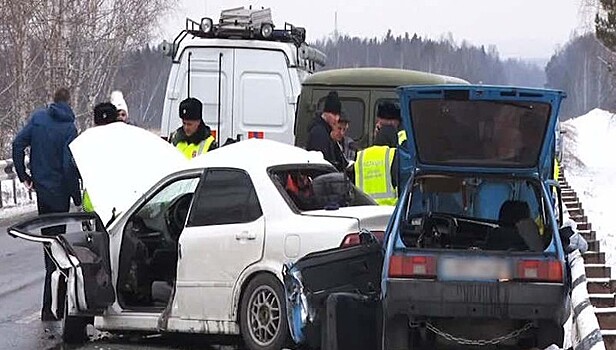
x=333 y=296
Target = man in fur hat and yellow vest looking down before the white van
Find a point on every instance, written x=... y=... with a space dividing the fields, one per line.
x=194 y=137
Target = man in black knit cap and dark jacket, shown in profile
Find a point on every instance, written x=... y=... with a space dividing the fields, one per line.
x=320 y=132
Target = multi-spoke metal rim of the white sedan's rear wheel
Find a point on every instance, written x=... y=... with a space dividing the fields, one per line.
x=263 y=315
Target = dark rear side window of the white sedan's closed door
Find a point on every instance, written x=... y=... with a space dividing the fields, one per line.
x=225 y=197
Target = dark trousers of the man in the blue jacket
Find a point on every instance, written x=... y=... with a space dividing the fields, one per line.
x=49 y=206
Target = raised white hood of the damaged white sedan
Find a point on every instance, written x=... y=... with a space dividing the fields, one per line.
x=120 y=162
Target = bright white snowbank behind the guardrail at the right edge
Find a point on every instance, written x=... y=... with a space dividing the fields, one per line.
x=590 y=168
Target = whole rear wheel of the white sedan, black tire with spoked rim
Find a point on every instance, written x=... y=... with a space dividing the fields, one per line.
x=263 y=322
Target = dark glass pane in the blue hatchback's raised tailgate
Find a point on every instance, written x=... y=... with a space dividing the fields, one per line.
x=492 y=133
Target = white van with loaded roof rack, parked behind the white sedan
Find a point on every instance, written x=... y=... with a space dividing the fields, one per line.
x=246 y=73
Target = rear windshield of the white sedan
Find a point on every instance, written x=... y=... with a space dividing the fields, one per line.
x=315 y=187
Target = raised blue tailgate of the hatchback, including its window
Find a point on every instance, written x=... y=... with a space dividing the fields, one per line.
x=479 y=128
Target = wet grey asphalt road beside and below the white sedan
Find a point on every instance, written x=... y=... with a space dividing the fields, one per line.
x=21 y=290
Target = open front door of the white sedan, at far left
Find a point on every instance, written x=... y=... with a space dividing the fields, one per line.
x=81 y=256
